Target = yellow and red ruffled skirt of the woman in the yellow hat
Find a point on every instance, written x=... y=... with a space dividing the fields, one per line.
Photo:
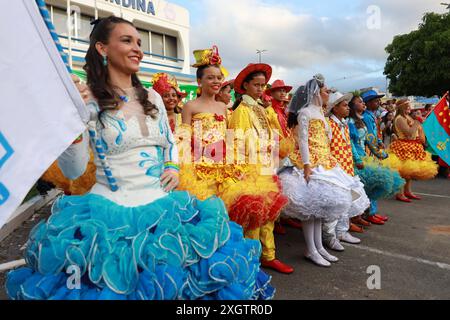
x=252 y=198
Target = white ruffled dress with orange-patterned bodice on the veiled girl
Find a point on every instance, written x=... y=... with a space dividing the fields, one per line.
x=331 y=193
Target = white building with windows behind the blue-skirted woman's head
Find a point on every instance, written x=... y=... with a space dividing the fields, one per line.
x=164 y=30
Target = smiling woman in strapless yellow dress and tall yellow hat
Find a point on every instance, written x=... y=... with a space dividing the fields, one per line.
x=201 y=136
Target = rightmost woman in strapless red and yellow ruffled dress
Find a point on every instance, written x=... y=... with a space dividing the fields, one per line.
x=407 y=153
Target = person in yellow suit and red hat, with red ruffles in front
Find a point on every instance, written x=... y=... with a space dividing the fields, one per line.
x=258 y=197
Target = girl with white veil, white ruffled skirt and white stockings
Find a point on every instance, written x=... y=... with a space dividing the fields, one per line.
x=317 y=188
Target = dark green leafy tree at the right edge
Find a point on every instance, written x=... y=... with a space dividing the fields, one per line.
x=419 y=62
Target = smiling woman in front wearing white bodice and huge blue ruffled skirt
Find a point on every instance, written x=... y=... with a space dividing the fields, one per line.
x=132 y=237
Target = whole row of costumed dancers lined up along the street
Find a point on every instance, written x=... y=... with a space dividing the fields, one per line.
x=186 y=198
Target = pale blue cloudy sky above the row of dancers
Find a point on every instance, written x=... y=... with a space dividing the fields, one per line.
x=305 y=37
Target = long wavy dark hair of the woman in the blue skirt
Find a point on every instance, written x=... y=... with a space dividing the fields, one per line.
x=98 y=76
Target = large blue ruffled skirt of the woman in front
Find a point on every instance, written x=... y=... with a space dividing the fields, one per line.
x=177 y=247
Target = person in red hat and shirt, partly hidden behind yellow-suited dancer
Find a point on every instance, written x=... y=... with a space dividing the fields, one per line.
x=276 y=113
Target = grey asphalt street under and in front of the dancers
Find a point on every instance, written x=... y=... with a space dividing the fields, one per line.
x=412 y=252
